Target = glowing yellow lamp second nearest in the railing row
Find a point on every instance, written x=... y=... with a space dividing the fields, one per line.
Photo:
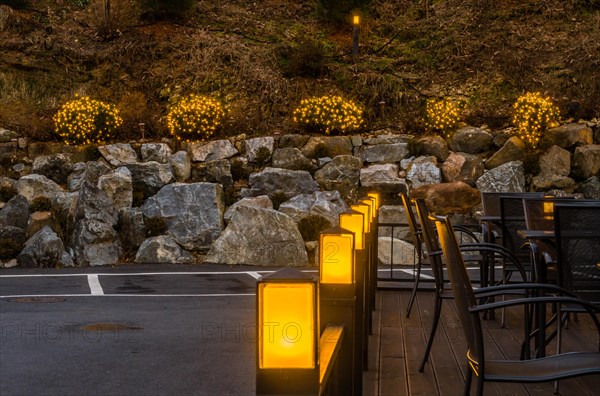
x=336 y=256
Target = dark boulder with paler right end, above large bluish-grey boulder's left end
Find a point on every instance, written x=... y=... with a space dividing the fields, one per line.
x=148 y=178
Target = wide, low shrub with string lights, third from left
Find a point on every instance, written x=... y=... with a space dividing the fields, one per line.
x=328 y=114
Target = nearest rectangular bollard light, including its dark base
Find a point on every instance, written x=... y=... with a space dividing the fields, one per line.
x=288 y=334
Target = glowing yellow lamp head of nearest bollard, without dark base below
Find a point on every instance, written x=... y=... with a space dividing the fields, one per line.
x=287 y=320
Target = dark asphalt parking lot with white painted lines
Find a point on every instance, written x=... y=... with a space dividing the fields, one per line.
x=131 y=330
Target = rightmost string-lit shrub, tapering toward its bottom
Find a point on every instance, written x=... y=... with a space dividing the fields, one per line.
x=532 y=115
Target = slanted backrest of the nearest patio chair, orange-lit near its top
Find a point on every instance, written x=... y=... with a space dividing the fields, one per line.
x=462 y=290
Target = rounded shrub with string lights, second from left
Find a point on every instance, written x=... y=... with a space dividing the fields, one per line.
x=195 y=117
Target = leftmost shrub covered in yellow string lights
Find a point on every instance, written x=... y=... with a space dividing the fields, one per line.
x=85 y=121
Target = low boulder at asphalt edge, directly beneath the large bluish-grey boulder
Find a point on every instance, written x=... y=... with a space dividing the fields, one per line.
x=162 y=249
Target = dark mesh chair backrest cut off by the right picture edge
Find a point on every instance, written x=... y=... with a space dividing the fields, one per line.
x=577 y=231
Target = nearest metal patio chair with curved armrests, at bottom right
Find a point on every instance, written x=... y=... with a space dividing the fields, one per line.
x=551 y=368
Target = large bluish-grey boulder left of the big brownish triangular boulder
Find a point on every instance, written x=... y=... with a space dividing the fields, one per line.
x=192 y=213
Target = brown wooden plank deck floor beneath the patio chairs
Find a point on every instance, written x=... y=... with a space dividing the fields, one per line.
x=397 y=345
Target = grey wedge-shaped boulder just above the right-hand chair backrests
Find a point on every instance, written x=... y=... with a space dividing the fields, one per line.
x=509 y=177
